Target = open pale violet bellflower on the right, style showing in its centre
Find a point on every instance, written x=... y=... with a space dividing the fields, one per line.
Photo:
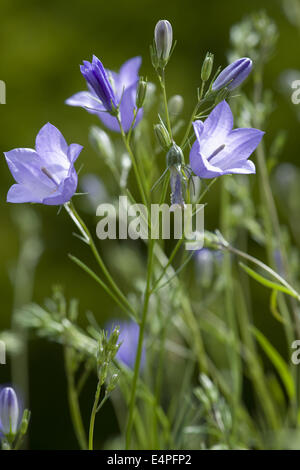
x=219 y=150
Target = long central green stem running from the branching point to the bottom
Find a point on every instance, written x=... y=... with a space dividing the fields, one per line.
x=140 y=345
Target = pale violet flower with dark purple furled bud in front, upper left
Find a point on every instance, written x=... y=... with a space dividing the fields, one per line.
x=110 y=90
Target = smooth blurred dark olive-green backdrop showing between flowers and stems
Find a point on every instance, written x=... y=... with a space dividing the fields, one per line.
x=42 y=45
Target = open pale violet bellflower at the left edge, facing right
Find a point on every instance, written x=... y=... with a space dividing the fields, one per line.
x=45 y=175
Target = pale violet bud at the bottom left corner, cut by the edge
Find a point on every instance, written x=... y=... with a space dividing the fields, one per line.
x=9 y=411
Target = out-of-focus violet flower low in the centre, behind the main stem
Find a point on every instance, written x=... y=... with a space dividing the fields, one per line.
x=128 y=337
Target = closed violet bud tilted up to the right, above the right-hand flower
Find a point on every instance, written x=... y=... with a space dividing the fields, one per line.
x=233 y=75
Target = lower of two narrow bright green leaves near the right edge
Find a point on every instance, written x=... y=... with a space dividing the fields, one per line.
x=277 y=361
